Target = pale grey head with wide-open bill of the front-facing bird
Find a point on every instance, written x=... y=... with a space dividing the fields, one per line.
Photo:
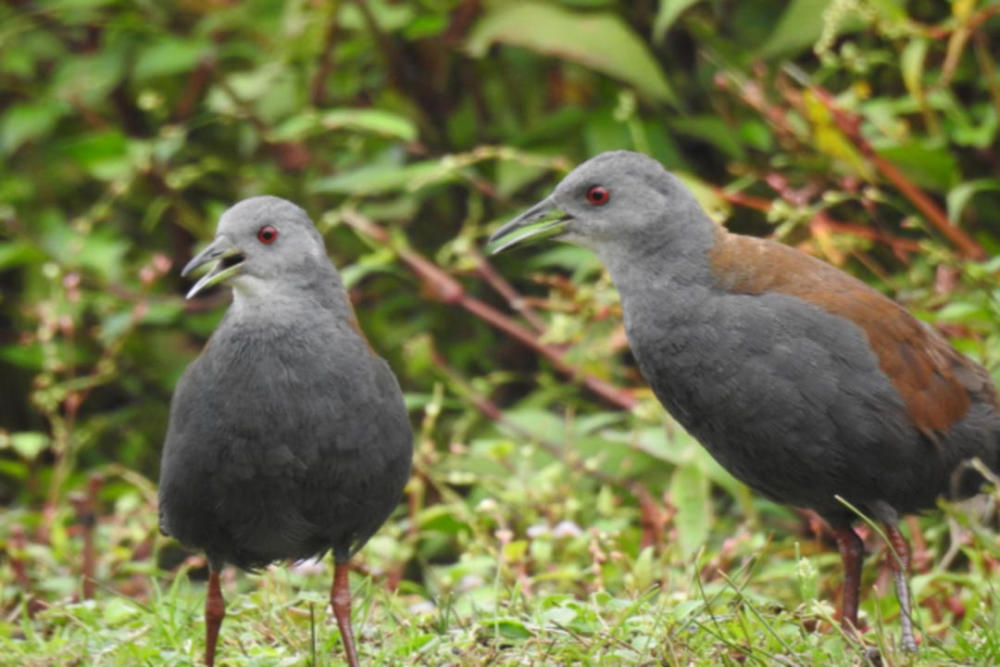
x=259 y=241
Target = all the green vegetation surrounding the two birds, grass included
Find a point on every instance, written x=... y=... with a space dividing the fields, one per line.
x=556 y=514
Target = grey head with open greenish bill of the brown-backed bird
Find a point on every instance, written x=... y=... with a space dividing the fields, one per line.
x=615 y=199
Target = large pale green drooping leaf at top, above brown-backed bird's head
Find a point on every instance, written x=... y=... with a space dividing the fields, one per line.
x=598 y=40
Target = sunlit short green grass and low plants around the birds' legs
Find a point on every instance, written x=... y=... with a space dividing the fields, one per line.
x=479 y=572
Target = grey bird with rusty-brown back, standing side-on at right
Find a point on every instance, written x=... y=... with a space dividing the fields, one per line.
x=811 y=387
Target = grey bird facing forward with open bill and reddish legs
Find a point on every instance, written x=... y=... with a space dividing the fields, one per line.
x=288 y=436
